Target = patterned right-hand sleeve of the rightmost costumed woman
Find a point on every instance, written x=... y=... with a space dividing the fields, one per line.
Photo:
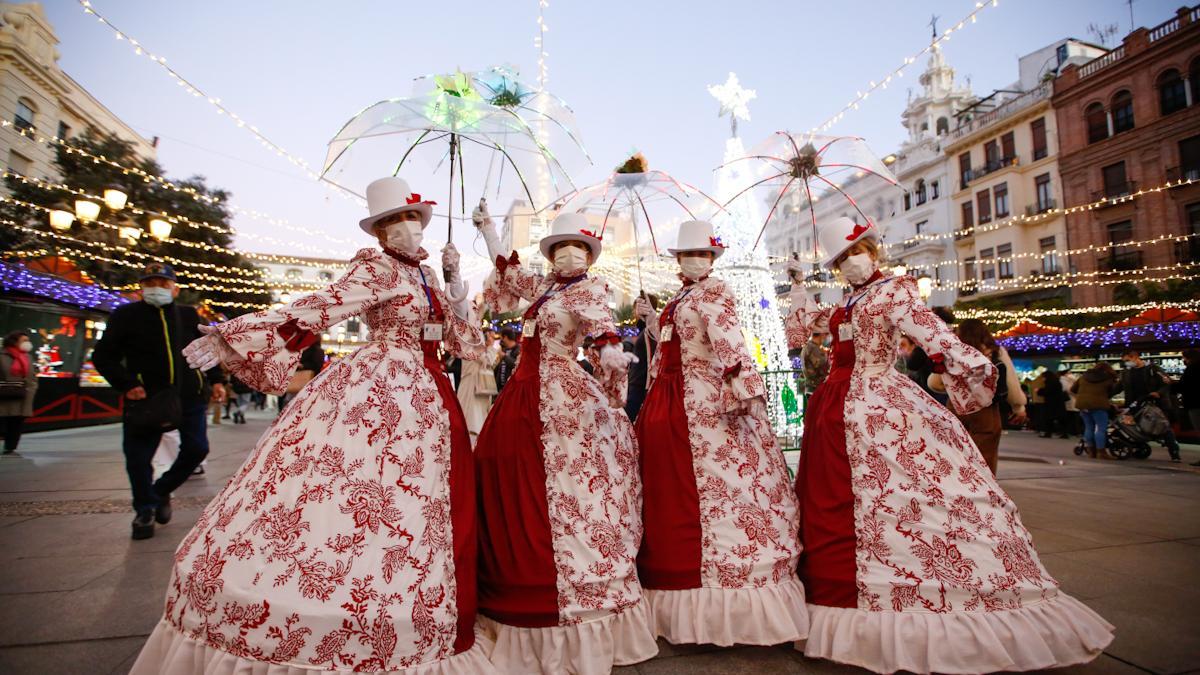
x=969 y=377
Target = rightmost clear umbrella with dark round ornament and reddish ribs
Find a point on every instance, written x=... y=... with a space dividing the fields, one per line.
x=815 y=168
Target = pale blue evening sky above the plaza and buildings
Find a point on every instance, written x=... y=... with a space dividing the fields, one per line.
x=635 y=73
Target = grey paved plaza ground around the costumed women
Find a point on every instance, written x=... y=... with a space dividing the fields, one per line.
x=79 y=598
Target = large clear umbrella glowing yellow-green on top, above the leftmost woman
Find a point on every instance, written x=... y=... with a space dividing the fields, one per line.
x=447 y=129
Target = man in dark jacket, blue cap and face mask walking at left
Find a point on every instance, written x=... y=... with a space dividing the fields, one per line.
x=141 y=355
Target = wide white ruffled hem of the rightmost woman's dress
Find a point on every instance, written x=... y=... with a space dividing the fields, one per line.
x=1048 y=635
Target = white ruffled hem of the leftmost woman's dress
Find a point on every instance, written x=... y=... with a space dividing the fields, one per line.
x=167 y=650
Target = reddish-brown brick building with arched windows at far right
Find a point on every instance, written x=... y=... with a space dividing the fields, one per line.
x=1127 y=122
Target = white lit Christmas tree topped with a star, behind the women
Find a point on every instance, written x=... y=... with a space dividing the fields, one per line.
x=746 y=270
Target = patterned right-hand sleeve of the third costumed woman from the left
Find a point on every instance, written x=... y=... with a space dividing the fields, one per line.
x=724 y=332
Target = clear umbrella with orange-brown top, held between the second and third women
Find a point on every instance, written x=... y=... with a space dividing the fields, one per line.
x=644 y=195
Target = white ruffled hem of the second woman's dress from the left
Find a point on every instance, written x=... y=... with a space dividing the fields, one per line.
x=581 y=649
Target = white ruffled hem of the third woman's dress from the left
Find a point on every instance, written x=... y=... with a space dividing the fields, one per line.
x=770 y=616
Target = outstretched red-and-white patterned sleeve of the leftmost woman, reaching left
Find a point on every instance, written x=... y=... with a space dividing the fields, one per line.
x=263 y=349
